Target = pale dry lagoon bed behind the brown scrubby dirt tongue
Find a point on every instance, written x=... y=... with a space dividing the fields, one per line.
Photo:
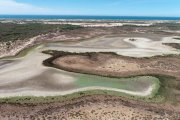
x=140 y=47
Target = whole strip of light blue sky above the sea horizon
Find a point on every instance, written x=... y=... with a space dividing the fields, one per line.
x=91 y=7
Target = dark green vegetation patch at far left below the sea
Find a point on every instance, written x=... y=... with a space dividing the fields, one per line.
x=12 y=32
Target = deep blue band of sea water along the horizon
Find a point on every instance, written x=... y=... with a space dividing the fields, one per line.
x=76 y=17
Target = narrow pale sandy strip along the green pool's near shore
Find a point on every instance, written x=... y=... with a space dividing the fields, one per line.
x=44 y=93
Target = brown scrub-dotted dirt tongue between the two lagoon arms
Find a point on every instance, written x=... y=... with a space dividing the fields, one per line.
x=119 y=66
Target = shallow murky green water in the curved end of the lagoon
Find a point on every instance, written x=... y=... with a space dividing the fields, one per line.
x=131 y=84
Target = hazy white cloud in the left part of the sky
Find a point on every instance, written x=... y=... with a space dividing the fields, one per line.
x=13 y=7
